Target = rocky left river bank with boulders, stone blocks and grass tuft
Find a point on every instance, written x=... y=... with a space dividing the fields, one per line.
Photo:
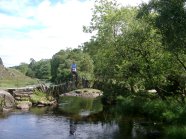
x=24 y=99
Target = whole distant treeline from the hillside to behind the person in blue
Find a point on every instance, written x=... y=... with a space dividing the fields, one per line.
x=58 y=68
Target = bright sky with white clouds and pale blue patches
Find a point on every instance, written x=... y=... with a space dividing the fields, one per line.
x=40 y=28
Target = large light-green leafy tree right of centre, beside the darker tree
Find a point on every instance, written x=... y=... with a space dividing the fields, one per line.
x=129 y=50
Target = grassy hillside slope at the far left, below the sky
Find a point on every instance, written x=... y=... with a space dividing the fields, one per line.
x=10 y=77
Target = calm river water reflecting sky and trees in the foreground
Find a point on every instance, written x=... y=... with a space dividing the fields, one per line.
x=75 y=118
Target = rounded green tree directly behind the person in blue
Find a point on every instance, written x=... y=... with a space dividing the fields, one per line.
x=61 y=65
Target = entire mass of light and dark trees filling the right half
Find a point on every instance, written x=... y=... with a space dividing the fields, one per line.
x=139 y=48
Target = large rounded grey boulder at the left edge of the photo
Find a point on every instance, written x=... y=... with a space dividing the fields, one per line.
x=7 y=101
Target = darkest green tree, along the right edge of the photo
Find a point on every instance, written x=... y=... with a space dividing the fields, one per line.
x=170 y=19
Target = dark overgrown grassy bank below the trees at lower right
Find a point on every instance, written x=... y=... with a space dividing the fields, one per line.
x=169 y=111
